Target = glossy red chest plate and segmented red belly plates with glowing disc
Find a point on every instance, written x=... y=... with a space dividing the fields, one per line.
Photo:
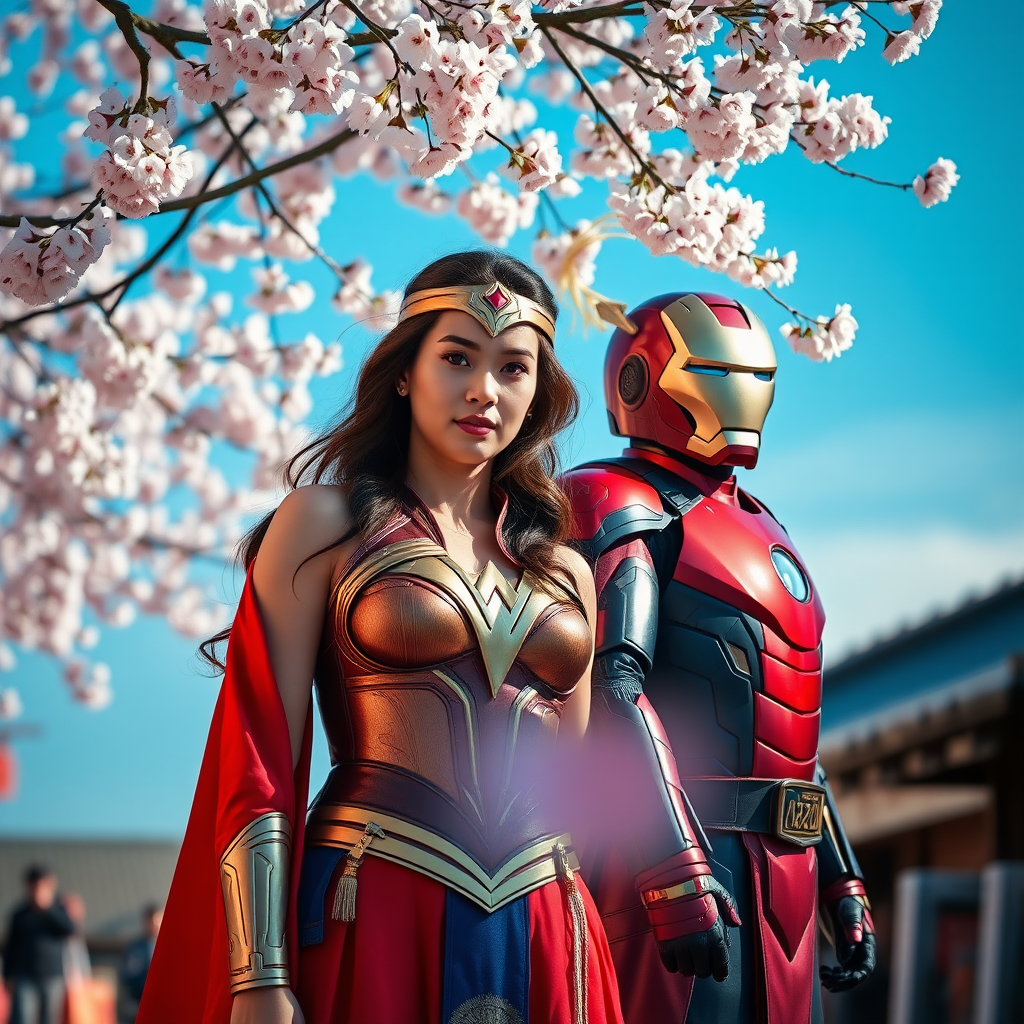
x=729 y=541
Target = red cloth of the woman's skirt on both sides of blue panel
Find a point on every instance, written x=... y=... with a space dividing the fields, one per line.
x=388 y=967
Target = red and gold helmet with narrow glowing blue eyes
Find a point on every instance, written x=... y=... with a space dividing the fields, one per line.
x=697 y=377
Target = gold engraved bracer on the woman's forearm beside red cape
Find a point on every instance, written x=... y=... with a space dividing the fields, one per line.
x=254 y=878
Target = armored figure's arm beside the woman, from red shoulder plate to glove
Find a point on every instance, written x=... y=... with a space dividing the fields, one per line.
x=658 y=834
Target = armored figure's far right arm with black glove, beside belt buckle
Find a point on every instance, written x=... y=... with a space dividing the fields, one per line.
x=846 y=914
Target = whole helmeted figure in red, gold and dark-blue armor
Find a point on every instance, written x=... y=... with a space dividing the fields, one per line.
x=708 y=682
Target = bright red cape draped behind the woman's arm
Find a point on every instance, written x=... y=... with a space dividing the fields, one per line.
x=247 y=772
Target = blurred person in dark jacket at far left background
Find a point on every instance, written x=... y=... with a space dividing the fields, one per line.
x=34 y=956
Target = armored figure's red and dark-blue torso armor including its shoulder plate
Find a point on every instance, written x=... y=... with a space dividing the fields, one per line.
x=737 y=674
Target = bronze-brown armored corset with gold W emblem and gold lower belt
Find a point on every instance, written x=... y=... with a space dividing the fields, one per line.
x=441 y=696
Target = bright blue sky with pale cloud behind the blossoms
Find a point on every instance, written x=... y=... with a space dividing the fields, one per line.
x=898 y=470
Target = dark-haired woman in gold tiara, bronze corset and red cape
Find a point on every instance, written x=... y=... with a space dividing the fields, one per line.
x=421 y=579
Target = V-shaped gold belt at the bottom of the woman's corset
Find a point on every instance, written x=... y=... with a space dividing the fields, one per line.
x=431 y=855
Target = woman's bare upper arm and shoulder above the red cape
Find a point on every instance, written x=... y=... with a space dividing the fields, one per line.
x=292 y=593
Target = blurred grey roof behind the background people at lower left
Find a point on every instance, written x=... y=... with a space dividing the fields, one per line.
x=116 y=878
